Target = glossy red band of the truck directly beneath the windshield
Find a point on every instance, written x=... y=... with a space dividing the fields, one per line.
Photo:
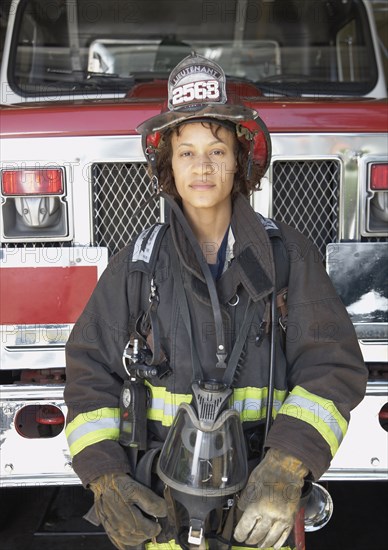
x=122 y=117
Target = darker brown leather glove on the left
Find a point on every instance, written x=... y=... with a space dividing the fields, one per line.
x=118 y=501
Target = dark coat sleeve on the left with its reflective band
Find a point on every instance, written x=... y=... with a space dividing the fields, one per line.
x=94 y=376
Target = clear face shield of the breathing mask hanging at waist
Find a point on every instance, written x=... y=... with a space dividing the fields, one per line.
x=204 y=463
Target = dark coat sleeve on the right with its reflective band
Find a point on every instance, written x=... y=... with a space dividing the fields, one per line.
x=326 y=372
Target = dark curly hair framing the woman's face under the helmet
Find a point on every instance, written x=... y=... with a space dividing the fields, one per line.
x=247 y=179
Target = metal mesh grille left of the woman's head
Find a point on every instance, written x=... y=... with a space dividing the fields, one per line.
x=118 y=190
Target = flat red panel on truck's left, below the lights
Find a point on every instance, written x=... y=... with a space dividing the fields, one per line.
x=44 y=295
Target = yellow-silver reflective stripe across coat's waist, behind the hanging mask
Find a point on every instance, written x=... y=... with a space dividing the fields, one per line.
x=250 y=403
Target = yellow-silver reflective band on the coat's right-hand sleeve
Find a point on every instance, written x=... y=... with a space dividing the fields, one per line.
x=320 y=413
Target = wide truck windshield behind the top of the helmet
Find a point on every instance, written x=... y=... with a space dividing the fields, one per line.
x=297 y=47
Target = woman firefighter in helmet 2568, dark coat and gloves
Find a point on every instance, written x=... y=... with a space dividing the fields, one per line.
x=194 y=418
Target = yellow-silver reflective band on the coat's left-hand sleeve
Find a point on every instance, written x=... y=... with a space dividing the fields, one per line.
x=91 y=427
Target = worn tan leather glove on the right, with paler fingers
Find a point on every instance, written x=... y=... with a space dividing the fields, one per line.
x=270 y=500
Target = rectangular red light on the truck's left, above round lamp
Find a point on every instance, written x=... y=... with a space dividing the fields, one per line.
x=32 y=182
